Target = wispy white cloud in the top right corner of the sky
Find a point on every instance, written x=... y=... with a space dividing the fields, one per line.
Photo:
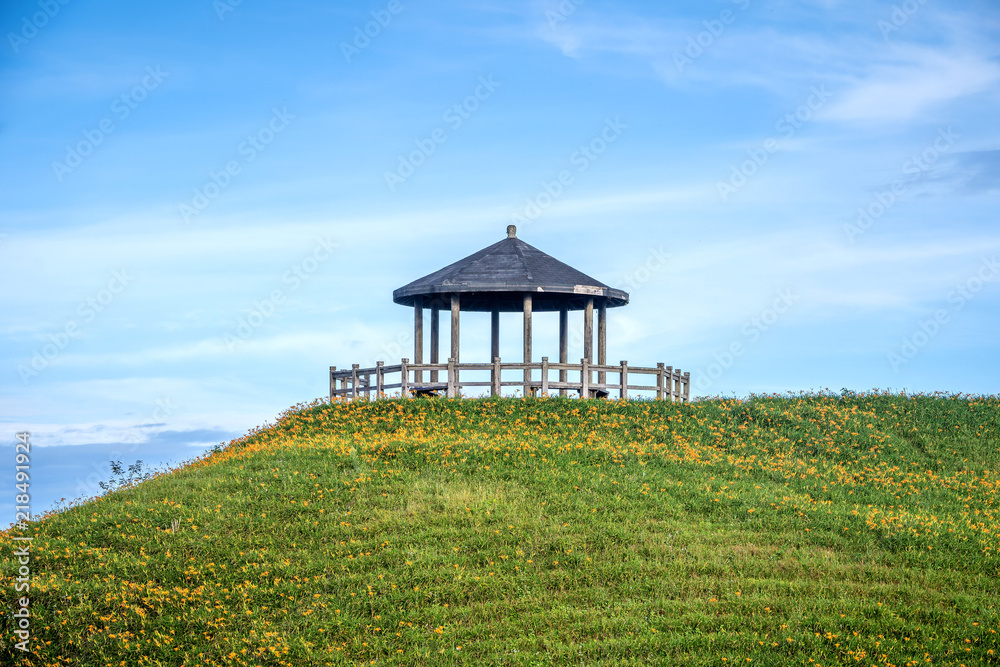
x=879 y=82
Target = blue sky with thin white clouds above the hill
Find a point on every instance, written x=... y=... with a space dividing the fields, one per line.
x=797 y=195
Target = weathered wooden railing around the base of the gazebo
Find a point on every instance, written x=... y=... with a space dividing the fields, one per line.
x=535 y=378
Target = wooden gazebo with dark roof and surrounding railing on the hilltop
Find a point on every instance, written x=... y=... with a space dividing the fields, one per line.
x=508 y=276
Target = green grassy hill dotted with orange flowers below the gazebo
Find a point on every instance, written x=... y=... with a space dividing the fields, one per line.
x=810 y=530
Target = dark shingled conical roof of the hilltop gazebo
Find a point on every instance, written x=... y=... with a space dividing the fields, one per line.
x=500 y=275
